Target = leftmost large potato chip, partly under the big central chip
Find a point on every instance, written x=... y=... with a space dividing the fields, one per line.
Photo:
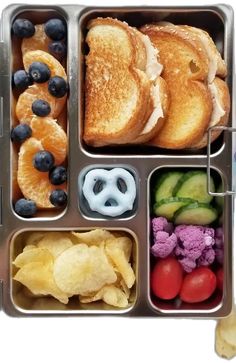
x=38 y=278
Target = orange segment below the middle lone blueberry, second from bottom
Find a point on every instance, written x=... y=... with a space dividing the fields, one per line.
x=51 y=135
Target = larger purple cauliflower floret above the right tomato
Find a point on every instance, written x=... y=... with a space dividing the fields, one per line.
x=194 y=245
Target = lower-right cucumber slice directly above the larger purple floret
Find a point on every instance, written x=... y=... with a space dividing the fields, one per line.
x=197 y=213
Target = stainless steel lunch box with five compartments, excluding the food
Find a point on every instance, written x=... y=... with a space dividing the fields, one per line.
x=143 y=161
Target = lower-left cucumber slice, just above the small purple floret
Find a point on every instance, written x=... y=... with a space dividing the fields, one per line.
x=167 y=207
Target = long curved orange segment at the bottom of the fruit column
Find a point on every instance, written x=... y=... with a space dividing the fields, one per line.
x=34 y=184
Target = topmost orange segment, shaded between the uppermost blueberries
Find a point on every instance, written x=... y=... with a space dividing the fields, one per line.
x=39 y=41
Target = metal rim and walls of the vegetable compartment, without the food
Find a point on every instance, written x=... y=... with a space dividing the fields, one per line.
x=217 y=302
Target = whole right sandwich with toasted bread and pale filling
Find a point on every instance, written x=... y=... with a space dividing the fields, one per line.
x=182 y=49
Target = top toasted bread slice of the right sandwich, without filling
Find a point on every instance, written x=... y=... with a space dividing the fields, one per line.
x=185 y=71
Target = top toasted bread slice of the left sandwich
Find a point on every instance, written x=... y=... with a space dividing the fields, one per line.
x=117 y=89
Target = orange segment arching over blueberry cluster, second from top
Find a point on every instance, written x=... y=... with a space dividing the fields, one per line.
x=40 y=56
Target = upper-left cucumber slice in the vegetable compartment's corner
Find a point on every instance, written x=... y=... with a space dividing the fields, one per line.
x=165 y=185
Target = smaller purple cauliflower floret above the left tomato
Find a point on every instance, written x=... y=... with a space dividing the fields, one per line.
x=164 y=244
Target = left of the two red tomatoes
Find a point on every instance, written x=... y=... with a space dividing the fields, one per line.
x=167 y=278
